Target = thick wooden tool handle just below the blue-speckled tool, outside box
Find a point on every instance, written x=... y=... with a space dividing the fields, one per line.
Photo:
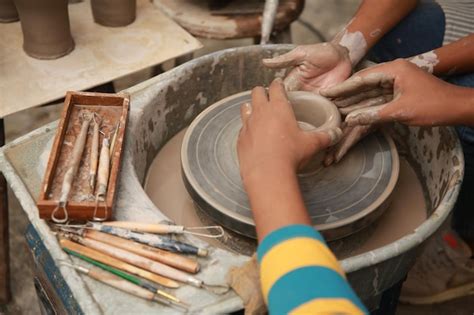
x=156 y=254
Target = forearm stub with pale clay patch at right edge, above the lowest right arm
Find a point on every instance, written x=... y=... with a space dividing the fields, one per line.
x=453 y=58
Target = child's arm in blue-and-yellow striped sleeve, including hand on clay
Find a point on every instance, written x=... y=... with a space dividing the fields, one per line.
x=298 y=272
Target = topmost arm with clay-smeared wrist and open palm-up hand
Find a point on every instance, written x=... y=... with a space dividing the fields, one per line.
x=326 y=64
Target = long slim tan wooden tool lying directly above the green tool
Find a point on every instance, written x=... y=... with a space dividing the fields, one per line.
x=139 y=261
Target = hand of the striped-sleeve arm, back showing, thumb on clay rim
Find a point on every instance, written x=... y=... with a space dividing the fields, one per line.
x=270 y=135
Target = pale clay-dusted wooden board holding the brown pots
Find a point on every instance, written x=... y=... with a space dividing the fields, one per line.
x=102 y=54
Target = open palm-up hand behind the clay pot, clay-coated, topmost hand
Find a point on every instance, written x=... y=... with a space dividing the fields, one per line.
x=315 y=66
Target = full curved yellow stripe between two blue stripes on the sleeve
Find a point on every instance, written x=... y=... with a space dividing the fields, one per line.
x=293 y=254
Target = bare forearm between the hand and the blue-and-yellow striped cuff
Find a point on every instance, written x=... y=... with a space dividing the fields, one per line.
x=275 y=198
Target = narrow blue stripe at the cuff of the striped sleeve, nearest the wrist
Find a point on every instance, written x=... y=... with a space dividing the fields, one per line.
x=284 y=233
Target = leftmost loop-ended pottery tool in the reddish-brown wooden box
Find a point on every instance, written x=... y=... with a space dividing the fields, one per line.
x=72 y=169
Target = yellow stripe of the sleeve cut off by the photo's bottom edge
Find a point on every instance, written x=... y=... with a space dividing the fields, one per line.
x=327 y=306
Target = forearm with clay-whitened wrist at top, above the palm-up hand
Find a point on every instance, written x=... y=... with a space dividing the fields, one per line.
x=373 y=19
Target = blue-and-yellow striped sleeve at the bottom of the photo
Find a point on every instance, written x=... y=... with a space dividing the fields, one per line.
x=300 y=275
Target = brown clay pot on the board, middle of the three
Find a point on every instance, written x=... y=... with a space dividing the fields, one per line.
x=46 y=30
